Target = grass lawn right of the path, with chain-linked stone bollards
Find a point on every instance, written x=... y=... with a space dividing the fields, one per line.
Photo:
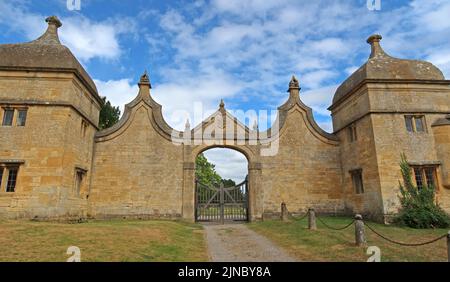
x=329 y=245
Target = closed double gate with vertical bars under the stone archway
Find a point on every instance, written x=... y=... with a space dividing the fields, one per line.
x=221 y=203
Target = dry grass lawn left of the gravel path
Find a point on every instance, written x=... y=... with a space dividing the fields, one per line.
x=115 y=240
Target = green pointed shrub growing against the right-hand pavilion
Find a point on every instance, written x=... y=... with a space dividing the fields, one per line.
x=418 y=206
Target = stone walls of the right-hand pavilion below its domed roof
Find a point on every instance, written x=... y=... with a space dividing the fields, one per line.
x=378 y=111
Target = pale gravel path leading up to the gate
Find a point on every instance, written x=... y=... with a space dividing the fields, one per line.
x=237 y=243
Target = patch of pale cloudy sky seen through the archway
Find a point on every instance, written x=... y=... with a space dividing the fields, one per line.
x=230 y=164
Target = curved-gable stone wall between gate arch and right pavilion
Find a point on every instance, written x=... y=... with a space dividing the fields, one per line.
x=305 y=172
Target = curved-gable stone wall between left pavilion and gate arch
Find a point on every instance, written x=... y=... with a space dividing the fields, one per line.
x=138 y=172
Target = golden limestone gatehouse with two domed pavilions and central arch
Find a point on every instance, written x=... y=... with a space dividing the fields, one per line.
x=56 y=164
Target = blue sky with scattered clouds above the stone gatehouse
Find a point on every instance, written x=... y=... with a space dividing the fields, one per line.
x=242 y=51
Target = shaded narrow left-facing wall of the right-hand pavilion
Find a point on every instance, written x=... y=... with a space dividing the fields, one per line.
x=358 y=154
